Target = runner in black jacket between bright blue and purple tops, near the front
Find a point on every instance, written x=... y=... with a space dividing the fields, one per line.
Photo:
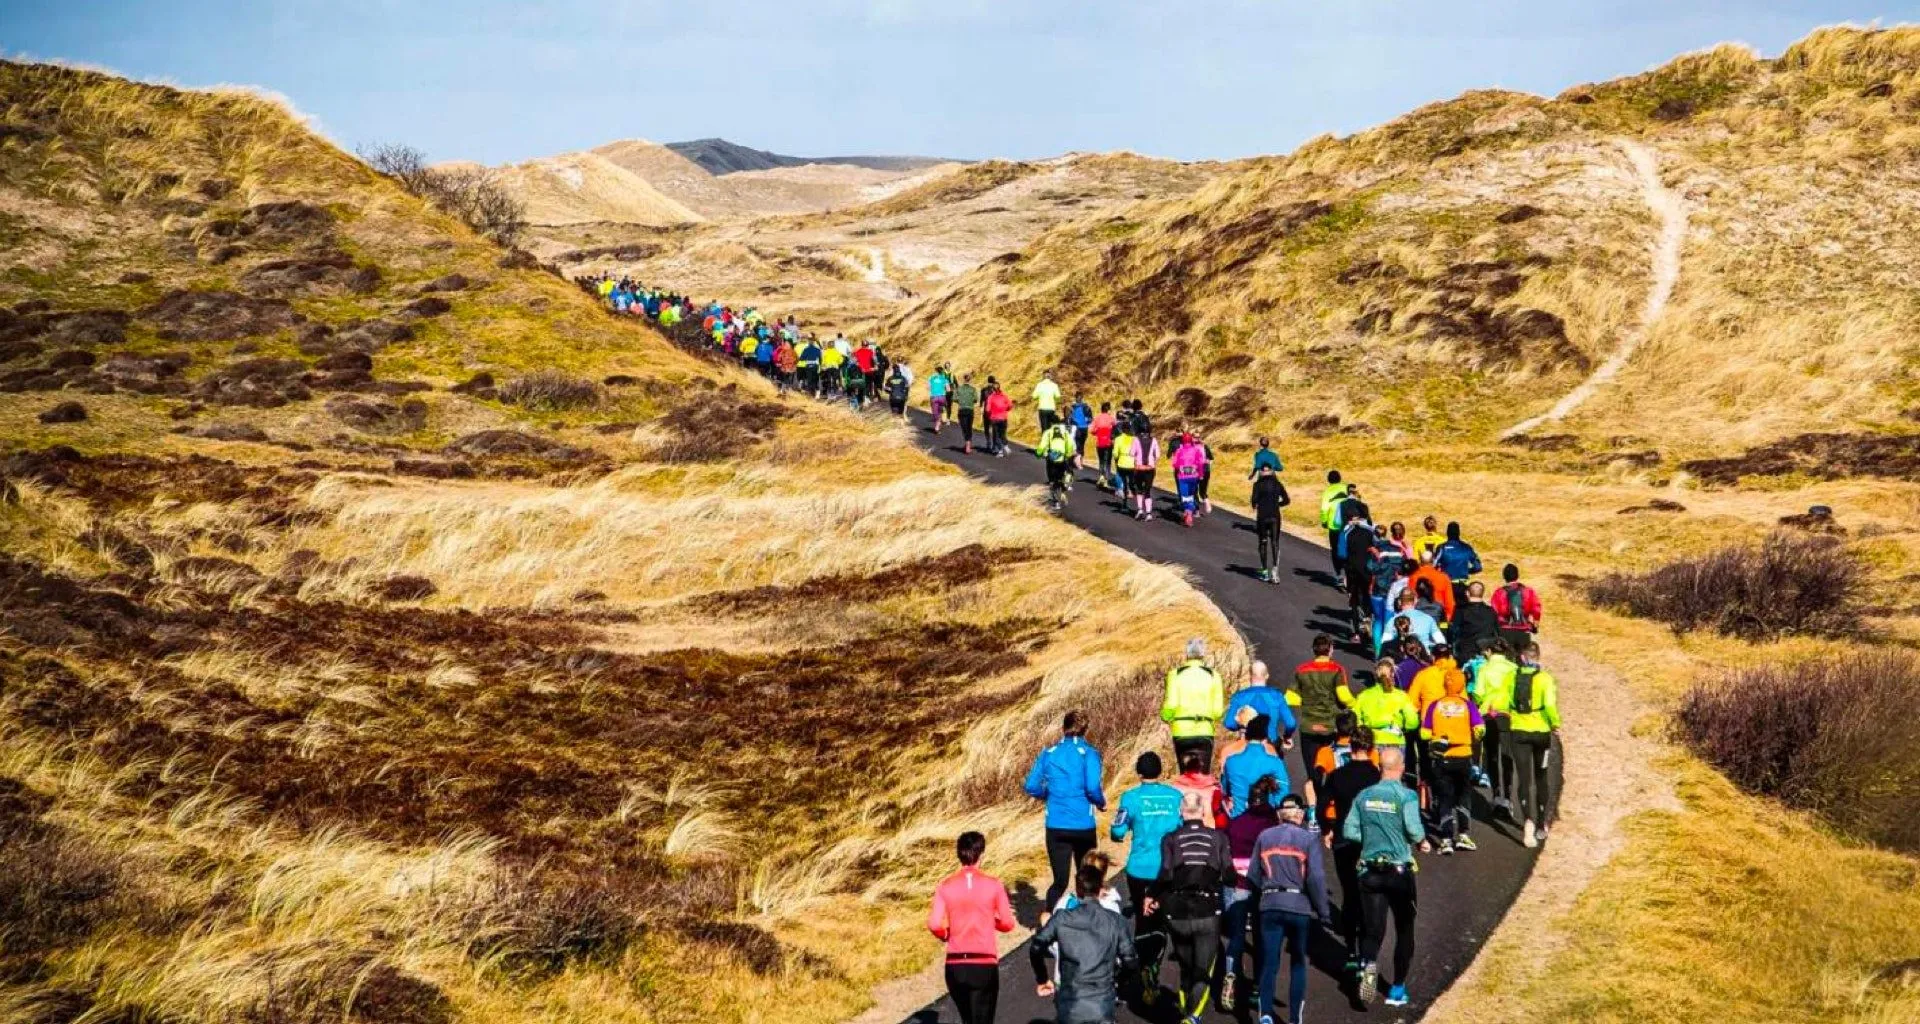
x=1195 y=869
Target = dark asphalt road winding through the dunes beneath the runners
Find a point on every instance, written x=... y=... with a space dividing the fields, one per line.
x=1462 y=898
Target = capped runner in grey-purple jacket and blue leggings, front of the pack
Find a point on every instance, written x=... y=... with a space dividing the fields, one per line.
x=1291 y=881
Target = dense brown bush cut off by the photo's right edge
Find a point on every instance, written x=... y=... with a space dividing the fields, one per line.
x=1831 y=737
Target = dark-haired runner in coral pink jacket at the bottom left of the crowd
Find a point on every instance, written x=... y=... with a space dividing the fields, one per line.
x=969 y=908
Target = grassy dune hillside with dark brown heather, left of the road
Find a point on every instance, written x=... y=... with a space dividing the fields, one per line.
x=389 y=635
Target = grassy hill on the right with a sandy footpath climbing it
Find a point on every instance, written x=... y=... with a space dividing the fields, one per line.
x=1466 y=266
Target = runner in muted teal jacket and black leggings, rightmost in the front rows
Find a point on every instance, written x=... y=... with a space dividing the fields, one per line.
x=1387 y=821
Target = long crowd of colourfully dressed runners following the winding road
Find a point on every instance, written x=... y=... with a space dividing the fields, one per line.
x=1228 y=866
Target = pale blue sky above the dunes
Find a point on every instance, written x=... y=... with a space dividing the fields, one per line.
x=500 y=82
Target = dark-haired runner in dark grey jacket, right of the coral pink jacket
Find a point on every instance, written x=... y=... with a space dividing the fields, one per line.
x=1093 y=944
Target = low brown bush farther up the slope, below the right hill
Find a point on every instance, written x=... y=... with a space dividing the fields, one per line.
x=1787 y=585
